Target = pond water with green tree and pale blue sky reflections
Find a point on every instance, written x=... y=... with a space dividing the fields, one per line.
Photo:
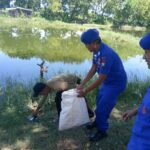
x=20 y=52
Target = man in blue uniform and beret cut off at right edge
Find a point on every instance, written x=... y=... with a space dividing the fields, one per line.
x=140 y=138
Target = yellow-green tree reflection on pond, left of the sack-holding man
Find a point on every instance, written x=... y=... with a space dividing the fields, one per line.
x=49 y=44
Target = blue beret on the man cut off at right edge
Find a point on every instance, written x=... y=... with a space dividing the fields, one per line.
x=145 y=42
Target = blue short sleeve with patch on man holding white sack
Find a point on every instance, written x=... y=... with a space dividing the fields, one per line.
x=106 y=63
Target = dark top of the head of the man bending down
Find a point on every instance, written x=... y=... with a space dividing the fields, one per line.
x=38 y=87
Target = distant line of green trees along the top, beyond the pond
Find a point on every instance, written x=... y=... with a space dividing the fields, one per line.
x=119 y=12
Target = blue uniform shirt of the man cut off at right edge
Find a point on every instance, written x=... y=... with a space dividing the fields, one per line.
x=140 y=138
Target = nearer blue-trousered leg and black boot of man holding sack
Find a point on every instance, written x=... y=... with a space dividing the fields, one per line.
x=106 y=100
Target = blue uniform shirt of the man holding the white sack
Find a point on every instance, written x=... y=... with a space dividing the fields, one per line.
x=108 y=62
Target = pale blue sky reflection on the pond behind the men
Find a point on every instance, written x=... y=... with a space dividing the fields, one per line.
x=27 y=69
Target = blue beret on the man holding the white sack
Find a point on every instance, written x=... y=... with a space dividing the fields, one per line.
x=89 y=36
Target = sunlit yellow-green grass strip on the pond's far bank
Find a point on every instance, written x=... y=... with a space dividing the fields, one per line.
x=24 y=23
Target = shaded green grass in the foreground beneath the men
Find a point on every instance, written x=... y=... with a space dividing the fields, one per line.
x=16 y=133
